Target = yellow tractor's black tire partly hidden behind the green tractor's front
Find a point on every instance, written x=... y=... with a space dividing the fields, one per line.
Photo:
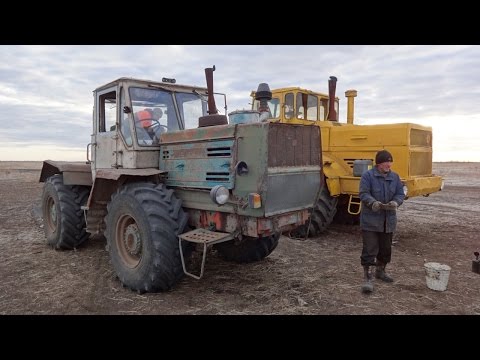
x=321 y=216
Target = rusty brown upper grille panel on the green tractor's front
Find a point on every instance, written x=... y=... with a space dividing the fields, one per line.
x=293 y=145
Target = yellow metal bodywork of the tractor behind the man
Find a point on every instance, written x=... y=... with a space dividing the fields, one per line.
x=342 y=143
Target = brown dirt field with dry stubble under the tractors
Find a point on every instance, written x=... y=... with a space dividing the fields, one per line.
x=316 y=276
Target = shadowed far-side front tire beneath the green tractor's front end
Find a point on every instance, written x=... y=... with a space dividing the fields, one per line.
x=249 y=249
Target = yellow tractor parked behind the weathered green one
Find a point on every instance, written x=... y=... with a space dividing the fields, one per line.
x=349 y=149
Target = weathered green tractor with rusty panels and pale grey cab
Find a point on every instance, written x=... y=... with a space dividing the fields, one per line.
x=165 y=170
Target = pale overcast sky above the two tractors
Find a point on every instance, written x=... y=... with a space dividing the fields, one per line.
x=46 y=91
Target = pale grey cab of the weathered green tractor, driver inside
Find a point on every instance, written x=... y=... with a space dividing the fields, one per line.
x=130 y=116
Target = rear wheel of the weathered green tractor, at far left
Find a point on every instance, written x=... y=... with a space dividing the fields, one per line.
x=63 y=218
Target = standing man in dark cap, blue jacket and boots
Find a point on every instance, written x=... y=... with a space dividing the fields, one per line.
x=381 y=193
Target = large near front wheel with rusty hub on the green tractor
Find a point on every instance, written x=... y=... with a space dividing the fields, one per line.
x=142 y=227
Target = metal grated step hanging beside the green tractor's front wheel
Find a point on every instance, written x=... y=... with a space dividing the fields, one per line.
x=201 y=236
